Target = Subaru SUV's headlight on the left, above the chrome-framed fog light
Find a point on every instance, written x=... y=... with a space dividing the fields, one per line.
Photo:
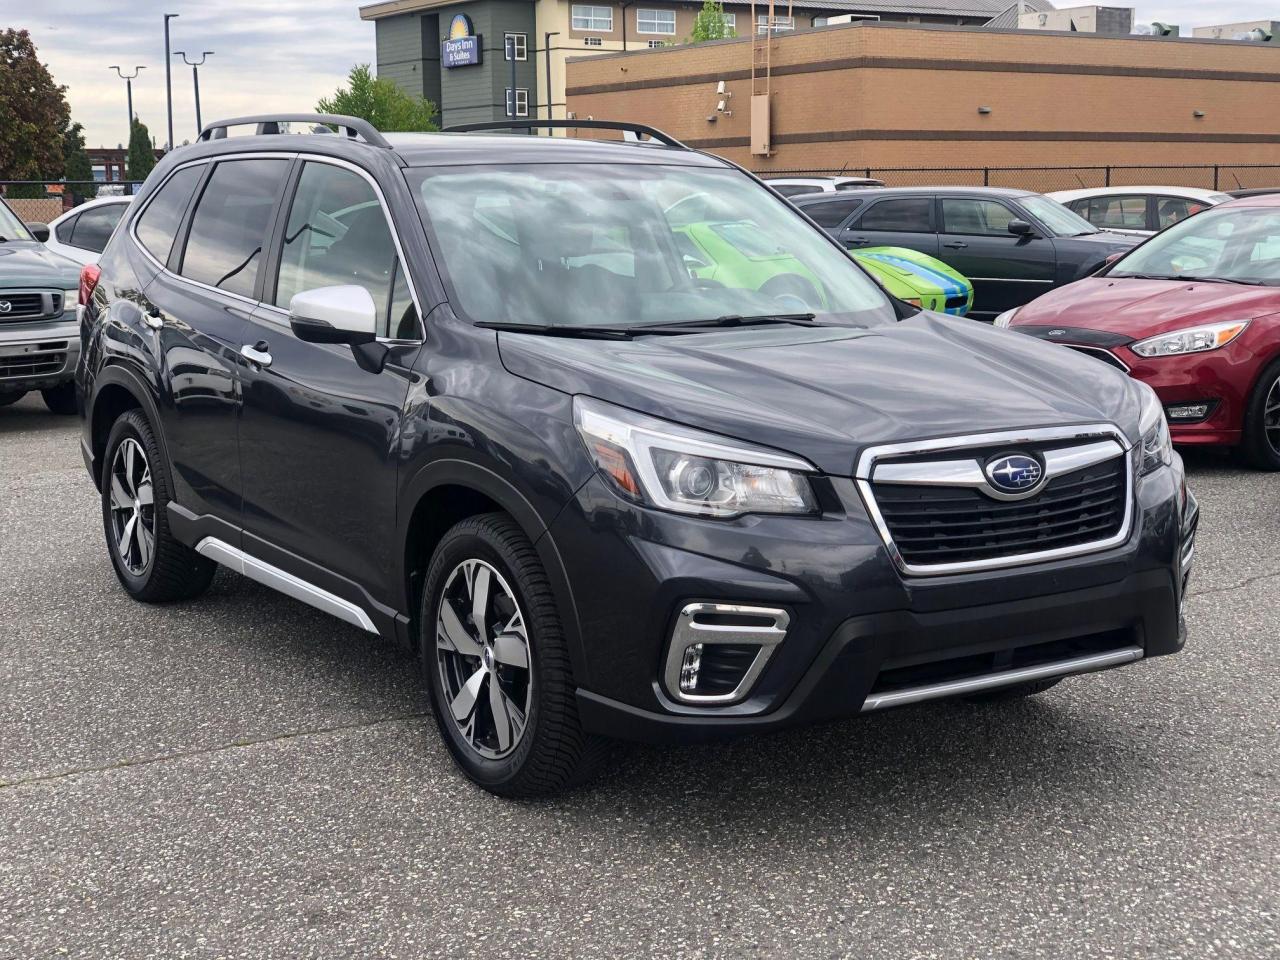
x=688 y=472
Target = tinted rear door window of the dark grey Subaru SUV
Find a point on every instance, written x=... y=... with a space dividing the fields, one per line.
x=228 y=230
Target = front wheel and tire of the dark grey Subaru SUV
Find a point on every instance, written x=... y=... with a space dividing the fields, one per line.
x=497 y=665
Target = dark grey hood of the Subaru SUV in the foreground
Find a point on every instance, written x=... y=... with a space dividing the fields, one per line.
x=828 y=394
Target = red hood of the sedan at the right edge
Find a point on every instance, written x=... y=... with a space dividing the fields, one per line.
x=1140 y=309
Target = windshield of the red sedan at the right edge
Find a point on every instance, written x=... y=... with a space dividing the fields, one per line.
x=1227 y=244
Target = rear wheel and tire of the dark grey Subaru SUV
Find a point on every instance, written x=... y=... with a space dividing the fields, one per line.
x=153 y=566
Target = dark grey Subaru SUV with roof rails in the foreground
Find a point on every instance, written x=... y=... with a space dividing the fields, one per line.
x=463 y=391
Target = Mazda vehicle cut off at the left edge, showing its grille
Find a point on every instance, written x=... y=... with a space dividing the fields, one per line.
x=39 y=335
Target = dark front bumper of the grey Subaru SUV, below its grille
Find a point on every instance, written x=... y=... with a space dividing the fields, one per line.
x=860 y=633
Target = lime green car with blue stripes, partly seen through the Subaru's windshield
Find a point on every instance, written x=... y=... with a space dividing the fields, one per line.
x=739 y=255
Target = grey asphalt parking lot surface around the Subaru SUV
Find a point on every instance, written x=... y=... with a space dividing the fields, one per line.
x=243 y=776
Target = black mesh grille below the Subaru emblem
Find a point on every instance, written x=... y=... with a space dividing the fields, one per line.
x=932 y=525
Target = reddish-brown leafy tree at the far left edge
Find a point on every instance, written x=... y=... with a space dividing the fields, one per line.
x=34 y=113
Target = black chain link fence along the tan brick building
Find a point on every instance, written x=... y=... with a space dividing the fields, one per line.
x=1045 y=180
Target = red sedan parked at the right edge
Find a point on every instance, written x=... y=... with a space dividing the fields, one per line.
x=1195 y=312
